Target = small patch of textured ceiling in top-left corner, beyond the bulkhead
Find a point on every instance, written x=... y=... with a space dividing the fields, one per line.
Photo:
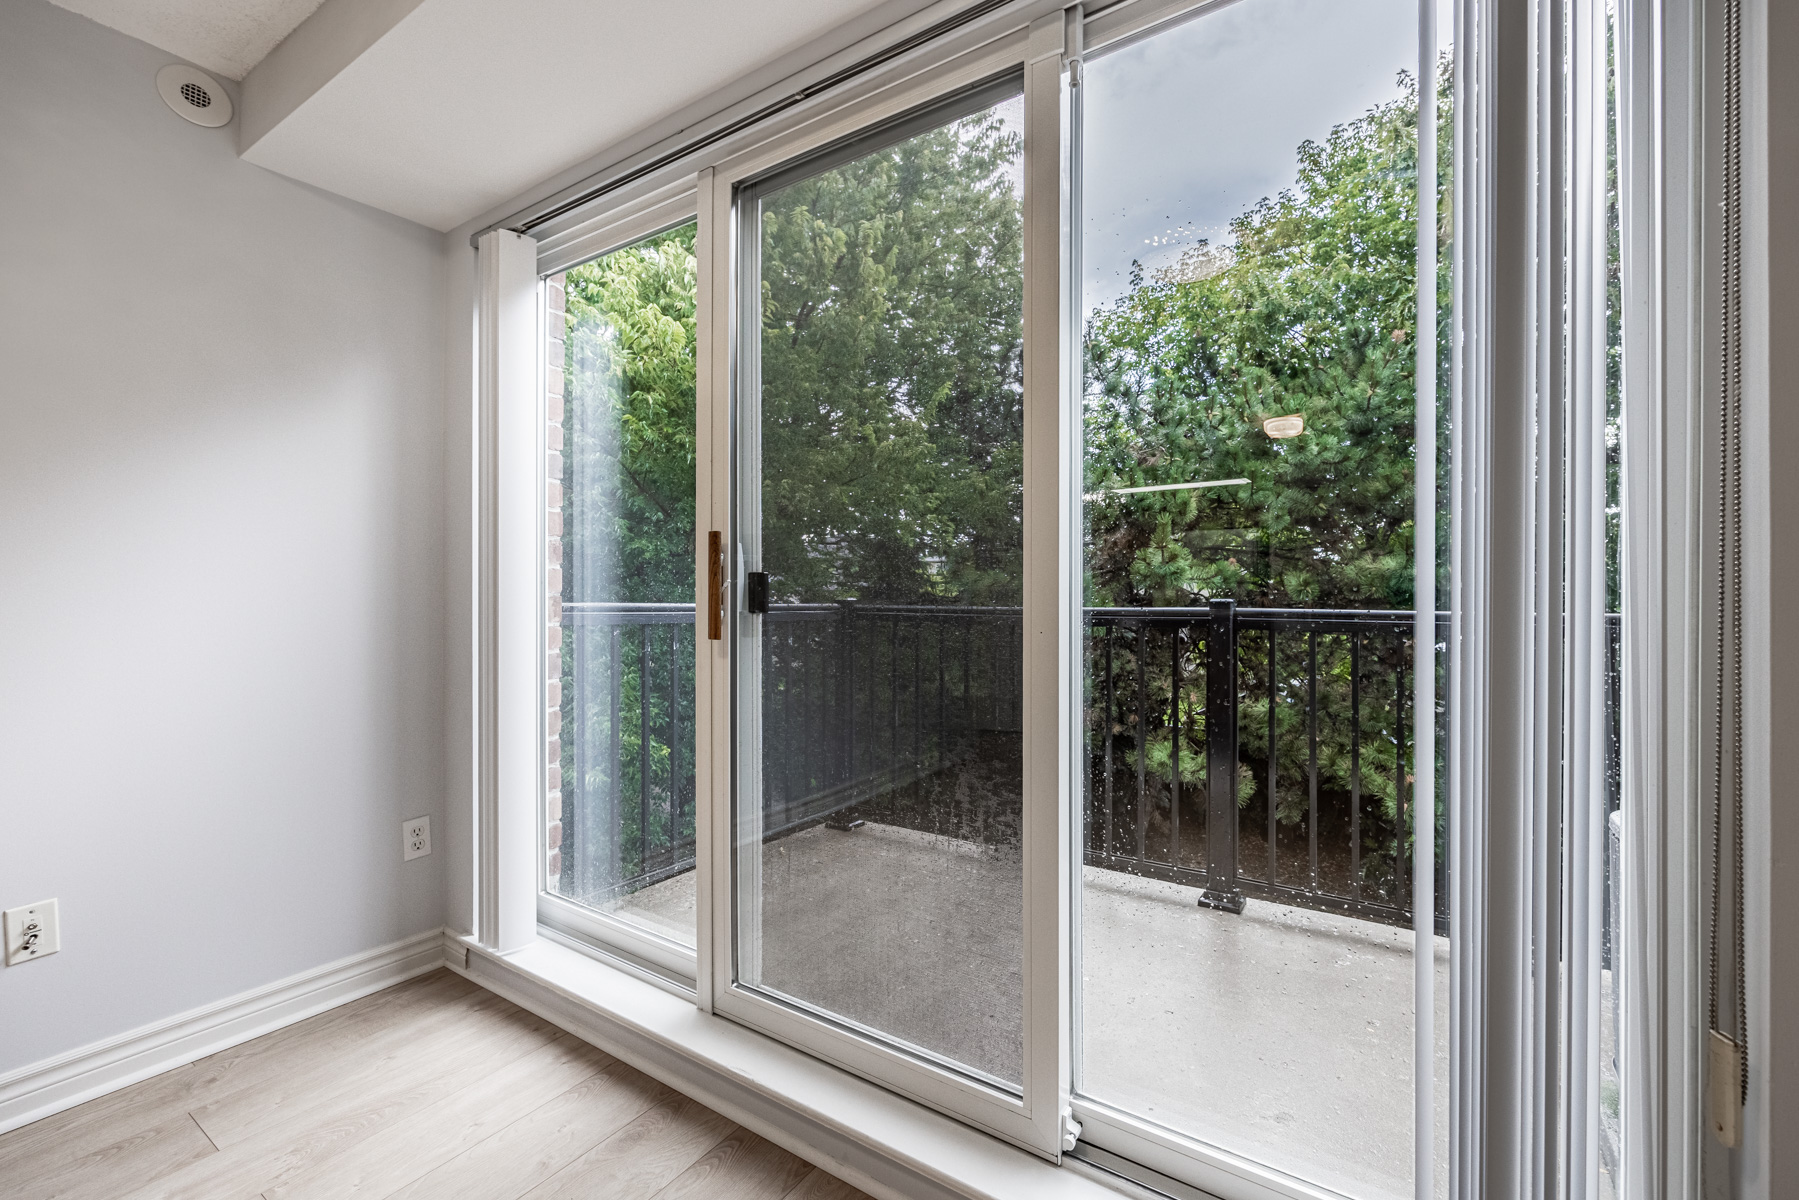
x=226 y=37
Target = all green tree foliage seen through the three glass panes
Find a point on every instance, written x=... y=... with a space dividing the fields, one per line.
x=891 y=422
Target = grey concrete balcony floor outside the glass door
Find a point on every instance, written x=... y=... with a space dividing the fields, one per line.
x=1280 y=1035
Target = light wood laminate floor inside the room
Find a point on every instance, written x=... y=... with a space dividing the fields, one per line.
x=431 y=1091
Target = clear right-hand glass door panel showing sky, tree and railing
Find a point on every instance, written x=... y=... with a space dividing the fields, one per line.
x=1249 y=318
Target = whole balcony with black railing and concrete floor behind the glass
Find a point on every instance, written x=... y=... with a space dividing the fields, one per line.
x=1249 y=940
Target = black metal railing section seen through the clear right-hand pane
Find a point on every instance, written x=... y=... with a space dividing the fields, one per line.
x=1258 y=753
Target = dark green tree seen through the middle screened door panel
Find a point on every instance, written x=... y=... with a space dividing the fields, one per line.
x=891 y=364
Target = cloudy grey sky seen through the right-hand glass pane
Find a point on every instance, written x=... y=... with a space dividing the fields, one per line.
x=1194 y=125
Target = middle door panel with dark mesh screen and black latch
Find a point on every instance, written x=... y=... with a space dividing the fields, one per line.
x=879 y=864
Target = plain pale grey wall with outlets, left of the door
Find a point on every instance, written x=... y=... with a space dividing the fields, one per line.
x=222 y=566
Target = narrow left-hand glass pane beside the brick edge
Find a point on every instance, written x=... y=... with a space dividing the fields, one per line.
x=623 y=539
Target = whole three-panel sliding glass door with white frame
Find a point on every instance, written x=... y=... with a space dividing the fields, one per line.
x=1061 y=728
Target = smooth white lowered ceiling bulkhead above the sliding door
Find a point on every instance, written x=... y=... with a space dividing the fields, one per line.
x=467 y=103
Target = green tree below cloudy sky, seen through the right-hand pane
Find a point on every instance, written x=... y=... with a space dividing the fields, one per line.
x=1311 y=310
